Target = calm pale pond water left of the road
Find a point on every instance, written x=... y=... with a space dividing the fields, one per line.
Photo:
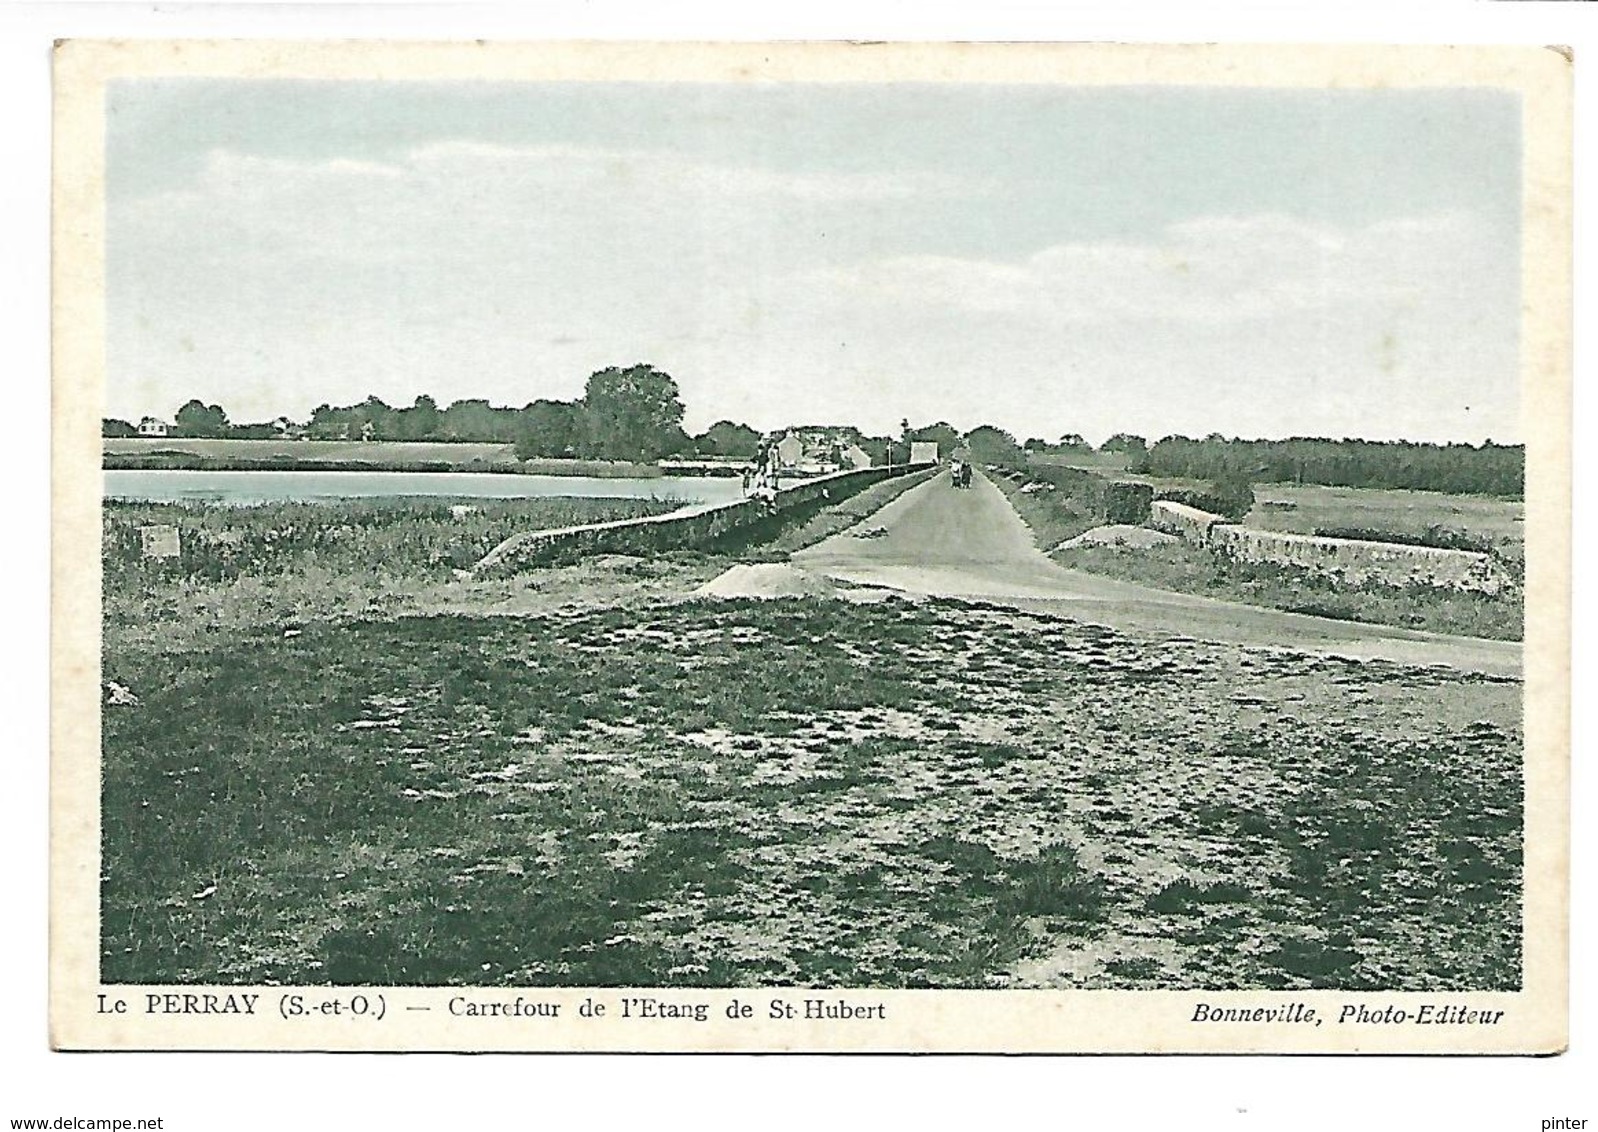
x=175 y=487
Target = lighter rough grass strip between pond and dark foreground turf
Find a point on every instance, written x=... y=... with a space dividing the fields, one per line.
x=282 y=565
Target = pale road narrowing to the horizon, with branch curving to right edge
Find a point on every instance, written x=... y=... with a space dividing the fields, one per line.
x=942 y=541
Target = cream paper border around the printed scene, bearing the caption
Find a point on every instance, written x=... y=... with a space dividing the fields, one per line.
x=306 y=1010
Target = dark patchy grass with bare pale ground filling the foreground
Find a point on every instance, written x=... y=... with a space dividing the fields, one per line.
x=805 y=792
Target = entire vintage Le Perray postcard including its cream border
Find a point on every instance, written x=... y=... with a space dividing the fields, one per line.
x=835 y=548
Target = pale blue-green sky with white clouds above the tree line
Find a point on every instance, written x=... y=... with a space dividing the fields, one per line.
x=1051 y=260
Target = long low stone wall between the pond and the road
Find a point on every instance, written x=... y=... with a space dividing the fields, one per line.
x=678 y=530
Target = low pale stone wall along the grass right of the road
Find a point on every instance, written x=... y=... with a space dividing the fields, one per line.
x=1350 y=562
